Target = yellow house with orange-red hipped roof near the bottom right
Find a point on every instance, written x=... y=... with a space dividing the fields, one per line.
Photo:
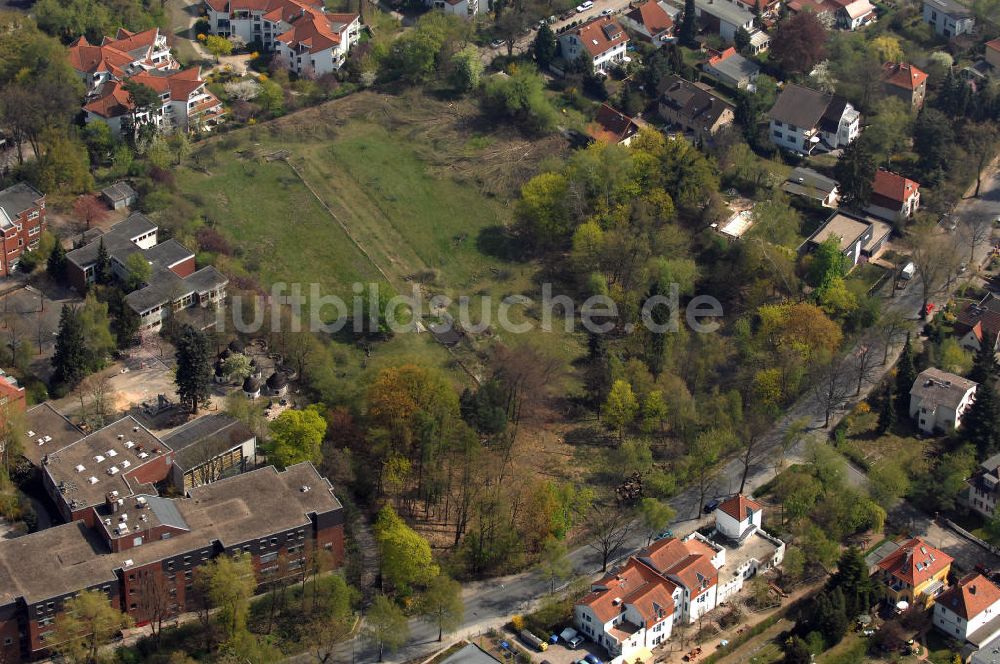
x=914 y=573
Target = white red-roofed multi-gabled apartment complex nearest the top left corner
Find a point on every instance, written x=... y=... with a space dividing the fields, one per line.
x=144 y=57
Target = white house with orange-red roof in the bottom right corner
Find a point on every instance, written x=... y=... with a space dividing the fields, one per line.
x=969 y=610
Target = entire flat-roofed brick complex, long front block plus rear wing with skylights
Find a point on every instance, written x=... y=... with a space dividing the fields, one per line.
x=121 y=533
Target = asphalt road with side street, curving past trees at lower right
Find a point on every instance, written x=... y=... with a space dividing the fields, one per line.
x=490 y=603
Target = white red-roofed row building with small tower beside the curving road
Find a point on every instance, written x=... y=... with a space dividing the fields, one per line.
x=636 y=606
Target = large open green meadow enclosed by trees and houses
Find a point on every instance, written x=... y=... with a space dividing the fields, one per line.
x=378 y=188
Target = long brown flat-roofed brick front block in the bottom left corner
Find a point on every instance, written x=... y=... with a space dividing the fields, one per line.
x=139 y=543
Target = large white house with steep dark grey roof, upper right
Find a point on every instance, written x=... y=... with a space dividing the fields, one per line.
x=804 y=120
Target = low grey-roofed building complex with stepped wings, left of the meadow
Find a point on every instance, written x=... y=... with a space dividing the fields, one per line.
x=174 y=285
